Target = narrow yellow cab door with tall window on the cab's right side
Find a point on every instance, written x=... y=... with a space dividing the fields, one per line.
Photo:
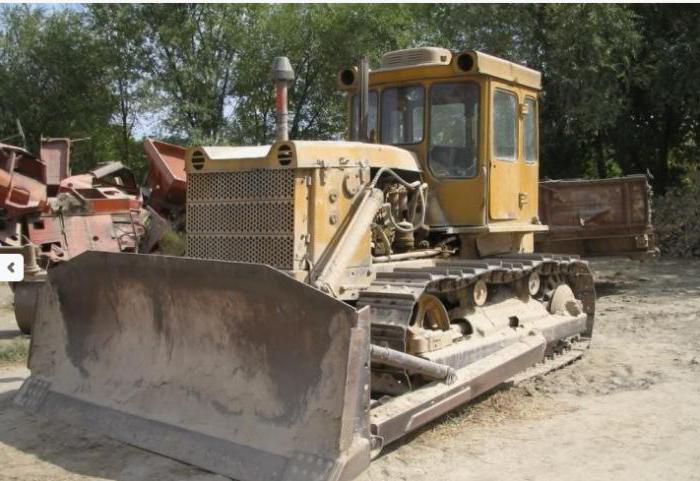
x=505 y=169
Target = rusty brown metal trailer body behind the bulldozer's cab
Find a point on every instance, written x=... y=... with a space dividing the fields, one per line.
x=597 y=217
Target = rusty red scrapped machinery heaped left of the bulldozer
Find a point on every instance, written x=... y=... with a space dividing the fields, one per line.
x=51 y=216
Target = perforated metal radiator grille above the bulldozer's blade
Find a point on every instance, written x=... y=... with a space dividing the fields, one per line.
x=242 y=216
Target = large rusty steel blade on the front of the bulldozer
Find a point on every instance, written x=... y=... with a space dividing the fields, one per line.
x=236 y=368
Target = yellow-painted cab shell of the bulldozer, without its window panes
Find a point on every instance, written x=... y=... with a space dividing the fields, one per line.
x=502 y=193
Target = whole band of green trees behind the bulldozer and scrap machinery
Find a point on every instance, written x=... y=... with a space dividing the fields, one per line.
x=619 y=80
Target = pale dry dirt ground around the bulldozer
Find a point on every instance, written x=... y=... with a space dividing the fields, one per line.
x=630 y=410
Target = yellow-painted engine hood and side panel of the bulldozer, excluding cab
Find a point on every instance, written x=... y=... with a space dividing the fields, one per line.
x=327 y=183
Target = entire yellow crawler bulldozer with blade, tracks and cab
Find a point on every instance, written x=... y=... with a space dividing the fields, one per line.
x=336 y=295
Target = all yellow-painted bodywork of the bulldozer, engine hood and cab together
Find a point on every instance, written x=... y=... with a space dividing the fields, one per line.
x=491 y=212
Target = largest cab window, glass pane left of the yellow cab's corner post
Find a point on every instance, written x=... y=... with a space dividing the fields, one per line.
x=454 y=129
